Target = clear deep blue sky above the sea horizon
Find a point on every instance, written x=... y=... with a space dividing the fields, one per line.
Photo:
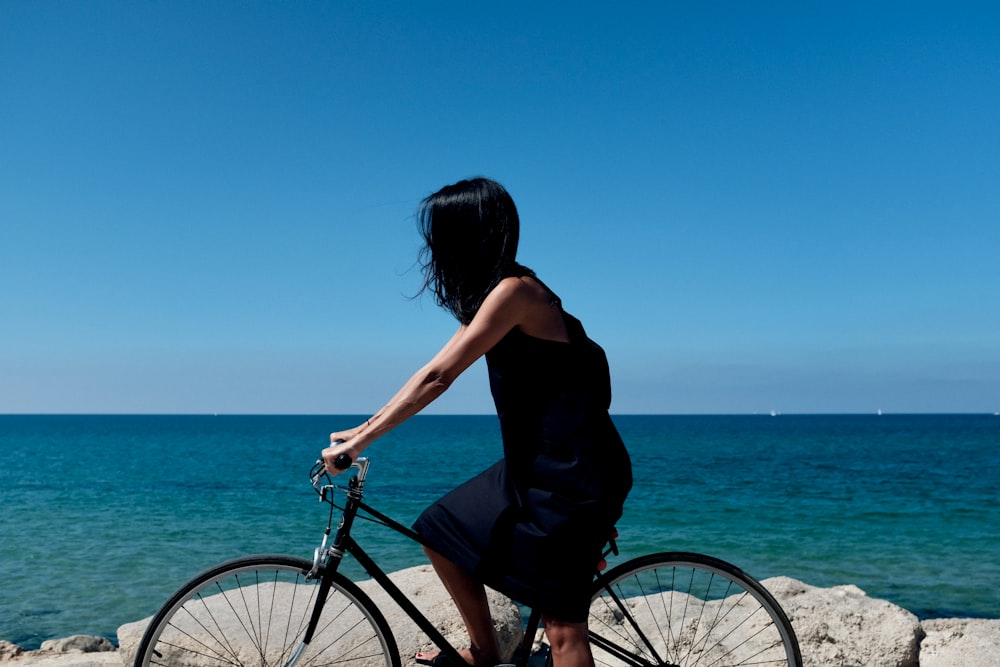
x=208 y=206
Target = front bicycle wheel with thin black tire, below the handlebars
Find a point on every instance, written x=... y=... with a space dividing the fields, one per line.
x=253 y=612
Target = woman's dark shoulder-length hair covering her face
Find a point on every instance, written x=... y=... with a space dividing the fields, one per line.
x=470 y=232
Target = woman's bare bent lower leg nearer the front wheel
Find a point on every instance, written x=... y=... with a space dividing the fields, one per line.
x=470 y=598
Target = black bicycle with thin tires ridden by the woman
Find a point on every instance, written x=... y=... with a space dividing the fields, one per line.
x=662 y=609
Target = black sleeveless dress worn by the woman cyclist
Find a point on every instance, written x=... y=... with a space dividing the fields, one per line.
x=533 y=525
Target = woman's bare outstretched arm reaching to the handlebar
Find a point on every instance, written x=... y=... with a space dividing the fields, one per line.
x=503 y=309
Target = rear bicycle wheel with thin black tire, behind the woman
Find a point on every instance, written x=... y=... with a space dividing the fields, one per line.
x=683 y=610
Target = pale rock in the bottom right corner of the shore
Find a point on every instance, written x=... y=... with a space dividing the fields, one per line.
x=961 y=642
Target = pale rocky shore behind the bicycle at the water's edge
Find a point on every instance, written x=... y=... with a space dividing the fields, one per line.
x=837 y=627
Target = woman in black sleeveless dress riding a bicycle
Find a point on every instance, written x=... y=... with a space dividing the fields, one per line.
x=532 y=526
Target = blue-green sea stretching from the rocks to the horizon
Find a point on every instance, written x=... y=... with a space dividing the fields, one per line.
x=103 y=517
